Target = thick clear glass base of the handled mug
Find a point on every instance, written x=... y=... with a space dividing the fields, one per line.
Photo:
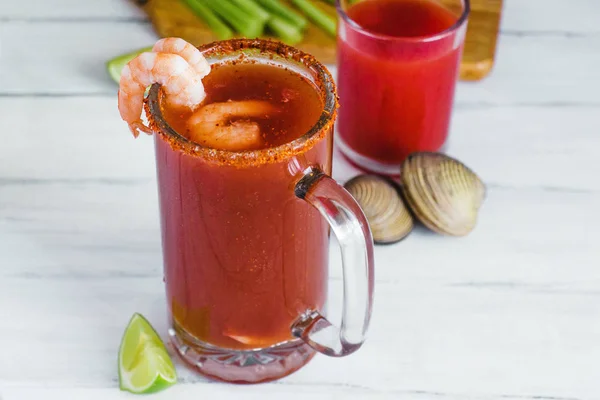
x=241 y=366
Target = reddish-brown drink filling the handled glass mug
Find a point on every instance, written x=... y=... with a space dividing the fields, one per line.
x=259 y=254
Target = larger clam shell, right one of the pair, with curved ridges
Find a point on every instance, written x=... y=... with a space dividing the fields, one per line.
x=442 y=192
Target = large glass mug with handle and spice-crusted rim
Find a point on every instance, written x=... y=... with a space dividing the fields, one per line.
x=245 y=239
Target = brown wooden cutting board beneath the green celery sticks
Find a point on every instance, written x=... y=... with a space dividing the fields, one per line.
x=173 y=18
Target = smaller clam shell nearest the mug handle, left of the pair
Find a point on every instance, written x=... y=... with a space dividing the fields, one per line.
x=382 y=204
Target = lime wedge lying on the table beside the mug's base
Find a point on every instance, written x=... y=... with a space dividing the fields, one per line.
x=144 y=364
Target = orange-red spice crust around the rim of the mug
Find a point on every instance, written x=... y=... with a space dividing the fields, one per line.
x=262 y=50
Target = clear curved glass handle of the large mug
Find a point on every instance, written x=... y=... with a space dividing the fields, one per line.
x=352 y=230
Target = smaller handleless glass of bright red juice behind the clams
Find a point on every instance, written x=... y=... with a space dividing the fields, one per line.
x=398 y=63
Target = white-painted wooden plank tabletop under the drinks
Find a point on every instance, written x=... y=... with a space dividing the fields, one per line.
x=510 y=312
